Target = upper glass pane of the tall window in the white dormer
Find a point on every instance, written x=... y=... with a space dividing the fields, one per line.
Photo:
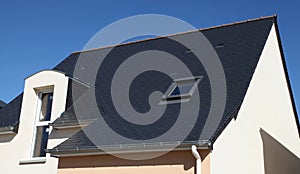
x=45 y=113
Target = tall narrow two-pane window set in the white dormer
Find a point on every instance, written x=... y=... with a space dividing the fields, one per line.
x=42 y=124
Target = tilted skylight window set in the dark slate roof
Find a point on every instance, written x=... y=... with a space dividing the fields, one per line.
x=181 y=90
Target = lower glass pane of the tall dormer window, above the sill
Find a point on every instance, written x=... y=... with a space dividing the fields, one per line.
x=41 y=141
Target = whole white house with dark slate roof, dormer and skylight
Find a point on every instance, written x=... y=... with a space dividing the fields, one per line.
x=236 y=115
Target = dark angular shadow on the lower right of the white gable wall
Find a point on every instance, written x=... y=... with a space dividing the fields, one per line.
x=277 y=158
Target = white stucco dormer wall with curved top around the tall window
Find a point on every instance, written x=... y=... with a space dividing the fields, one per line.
x=19 y=147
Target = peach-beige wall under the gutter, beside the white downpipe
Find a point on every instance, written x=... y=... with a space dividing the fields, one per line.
x=177 y=162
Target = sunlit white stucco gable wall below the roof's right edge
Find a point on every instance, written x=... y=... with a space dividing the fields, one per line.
x=267 y=105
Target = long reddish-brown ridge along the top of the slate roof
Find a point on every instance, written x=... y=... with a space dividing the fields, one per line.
x=179 y=33
